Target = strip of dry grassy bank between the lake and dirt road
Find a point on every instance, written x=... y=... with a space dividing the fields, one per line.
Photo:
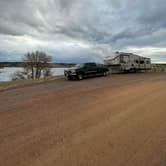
x=22 y=83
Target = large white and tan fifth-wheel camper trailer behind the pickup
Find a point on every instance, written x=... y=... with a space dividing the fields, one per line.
x=128 y=62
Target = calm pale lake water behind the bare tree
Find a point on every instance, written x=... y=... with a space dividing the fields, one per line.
x=7 y=72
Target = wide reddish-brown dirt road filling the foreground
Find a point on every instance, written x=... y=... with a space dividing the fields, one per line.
x=119 y=120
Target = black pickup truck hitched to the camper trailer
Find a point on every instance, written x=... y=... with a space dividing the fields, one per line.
x=83 y=70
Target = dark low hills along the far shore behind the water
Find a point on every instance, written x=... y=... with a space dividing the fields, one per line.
x=21 y=64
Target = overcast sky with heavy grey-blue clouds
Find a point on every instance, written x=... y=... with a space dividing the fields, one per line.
x=82 y=30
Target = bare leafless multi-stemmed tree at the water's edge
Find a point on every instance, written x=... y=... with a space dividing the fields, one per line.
x=37 y=64
